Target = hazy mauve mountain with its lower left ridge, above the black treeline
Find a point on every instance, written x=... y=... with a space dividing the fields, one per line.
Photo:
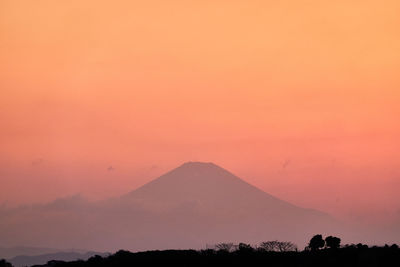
x=191 y=206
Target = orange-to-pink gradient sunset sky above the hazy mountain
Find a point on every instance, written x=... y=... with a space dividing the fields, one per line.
x=300 y=98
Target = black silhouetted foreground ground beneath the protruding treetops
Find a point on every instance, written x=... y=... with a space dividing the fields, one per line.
x=347 y=256
